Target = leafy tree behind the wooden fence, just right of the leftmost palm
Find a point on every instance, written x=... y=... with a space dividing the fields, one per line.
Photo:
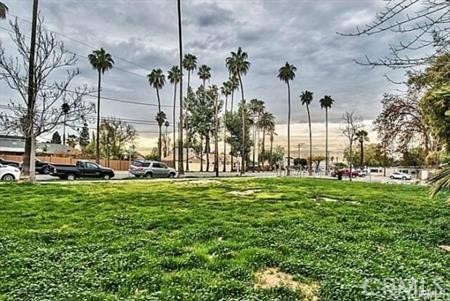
x=115 y=137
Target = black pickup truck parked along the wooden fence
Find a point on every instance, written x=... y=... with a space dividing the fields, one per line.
x=82 y=169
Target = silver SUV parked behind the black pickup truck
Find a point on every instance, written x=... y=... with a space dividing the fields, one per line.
x=151 y=169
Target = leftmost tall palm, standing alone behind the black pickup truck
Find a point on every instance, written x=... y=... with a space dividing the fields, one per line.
x=101 y=61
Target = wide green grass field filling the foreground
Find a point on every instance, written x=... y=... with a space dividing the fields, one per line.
x=211 y=240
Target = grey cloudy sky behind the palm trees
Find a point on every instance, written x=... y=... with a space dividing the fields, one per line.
x=142 y=35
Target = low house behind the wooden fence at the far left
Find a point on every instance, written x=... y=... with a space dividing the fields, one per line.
x=15 y=145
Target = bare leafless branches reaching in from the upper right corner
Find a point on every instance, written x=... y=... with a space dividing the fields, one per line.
x=423 y=27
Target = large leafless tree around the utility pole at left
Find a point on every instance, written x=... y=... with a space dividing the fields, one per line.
x=53 y=74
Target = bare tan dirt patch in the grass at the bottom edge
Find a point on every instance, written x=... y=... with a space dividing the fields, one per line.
x=273 y=277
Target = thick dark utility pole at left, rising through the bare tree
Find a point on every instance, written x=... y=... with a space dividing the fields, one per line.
x=30 y=149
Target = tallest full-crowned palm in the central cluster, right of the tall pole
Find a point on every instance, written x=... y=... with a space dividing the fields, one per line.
x=238 y=66
